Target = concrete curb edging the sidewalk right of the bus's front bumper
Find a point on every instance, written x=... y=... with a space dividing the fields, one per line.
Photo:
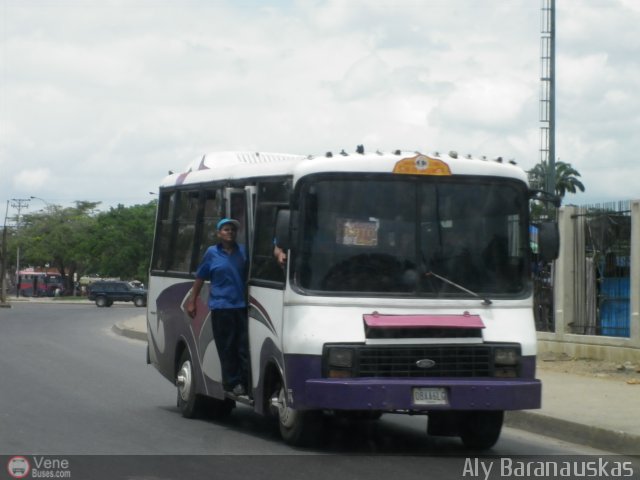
x=595 y=437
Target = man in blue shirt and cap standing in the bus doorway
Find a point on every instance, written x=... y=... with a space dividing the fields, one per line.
x=225 y=266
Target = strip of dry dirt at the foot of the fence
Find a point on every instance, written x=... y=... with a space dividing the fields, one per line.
x=627 y=372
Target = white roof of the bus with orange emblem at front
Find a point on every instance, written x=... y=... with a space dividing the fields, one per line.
x=237 y=165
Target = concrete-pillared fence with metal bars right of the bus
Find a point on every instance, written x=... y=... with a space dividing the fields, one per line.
x=587 y=305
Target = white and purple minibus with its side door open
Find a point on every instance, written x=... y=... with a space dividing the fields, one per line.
x=407 y=288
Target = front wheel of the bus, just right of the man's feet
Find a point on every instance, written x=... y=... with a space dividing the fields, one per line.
x=298 y=428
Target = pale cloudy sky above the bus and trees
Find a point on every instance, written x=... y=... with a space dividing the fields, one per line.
x=99 y=99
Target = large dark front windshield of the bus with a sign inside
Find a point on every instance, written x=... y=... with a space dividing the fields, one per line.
x=423 y=237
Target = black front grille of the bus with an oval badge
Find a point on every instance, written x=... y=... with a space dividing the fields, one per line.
x=449 y=361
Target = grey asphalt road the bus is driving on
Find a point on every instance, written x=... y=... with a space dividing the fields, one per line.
x=71 y=388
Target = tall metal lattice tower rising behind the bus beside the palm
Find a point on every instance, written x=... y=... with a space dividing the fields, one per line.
x=548 y=92
